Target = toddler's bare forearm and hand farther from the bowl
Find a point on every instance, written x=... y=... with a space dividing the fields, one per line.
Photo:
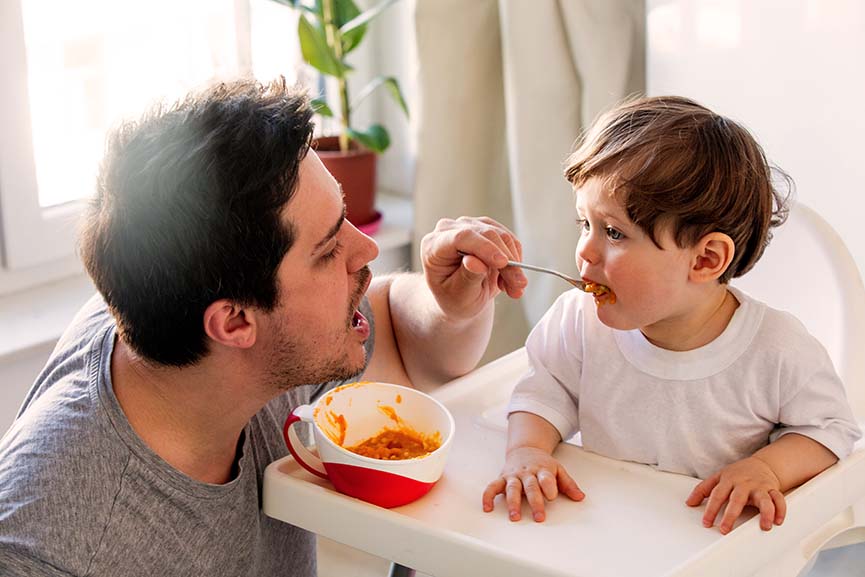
x=760 y=480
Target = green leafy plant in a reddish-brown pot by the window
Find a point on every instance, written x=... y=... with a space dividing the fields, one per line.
x=328 y=31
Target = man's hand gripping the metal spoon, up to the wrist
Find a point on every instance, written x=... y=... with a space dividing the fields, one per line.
x=465 y=262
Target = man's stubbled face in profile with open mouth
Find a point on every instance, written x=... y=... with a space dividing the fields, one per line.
x=315 y=333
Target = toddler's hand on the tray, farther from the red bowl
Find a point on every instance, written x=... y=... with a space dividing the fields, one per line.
x=747 y=482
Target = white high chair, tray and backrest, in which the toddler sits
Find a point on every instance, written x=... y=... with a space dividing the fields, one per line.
x=634 y=520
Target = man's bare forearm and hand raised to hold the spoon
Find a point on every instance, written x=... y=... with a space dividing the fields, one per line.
x=435 y=327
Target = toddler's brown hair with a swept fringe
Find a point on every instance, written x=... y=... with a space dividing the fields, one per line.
x=673 y=162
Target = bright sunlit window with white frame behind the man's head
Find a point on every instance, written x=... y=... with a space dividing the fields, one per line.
x=70 y=70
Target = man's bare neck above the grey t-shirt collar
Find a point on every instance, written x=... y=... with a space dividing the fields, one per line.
x=191 y=417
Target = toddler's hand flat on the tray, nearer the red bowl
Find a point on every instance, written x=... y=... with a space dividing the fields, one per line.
x=536 y=474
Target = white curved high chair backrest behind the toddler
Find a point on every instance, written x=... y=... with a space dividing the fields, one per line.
x=808 y=271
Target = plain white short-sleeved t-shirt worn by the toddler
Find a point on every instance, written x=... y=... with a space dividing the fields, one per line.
x=690 y=412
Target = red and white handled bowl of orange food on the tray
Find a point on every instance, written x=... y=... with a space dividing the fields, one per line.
x=408 y=444
